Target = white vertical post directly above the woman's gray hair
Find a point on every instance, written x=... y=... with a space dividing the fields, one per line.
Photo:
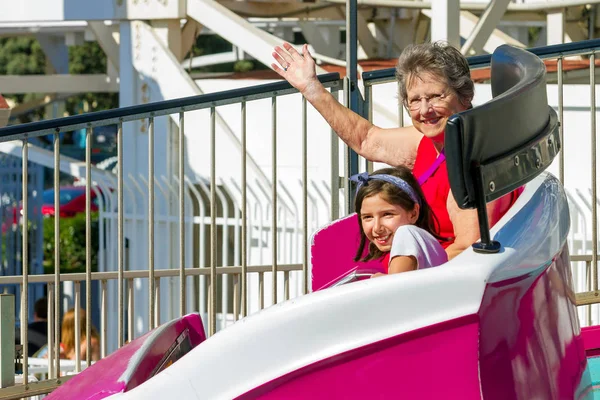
x=445 y=21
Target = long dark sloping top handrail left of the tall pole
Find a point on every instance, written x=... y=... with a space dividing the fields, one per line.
x=156 y=109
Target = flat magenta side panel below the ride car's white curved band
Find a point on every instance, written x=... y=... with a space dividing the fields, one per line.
x=438 y=361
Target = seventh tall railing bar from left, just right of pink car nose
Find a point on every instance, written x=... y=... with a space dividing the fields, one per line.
x=212 y=318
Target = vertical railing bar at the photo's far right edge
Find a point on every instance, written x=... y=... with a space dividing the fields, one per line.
x=594 y=191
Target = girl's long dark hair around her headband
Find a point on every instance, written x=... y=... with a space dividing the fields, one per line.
x=393 y=195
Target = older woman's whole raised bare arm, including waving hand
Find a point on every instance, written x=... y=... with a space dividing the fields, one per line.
x=397 y=146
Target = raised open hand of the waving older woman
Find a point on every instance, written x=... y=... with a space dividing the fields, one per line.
x=298 y=69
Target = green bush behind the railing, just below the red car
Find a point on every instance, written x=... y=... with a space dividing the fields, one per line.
x=72 y=244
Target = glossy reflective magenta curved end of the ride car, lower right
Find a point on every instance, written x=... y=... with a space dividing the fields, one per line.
x=531 y=346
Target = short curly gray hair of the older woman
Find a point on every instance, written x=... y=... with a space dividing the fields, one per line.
x=438 y=58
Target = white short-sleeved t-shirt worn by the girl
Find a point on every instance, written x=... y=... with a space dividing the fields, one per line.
x=410 y=240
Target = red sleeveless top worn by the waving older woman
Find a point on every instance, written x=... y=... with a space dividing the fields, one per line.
x=437 y=187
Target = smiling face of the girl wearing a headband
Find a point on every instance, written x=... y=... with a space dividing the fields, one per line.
x=380 y=220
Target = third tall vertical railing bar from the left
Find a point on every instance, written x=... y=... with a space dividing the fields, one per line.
x=88 y=240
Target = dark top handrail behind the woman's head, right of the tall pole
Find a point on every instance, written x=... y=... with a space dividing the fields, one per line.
x=483 y=61
